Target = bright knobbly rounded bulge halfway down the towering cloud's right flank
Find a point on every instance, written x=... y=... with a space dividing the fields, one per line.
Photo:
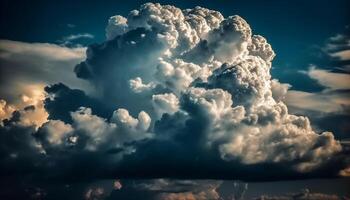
x=248 y=82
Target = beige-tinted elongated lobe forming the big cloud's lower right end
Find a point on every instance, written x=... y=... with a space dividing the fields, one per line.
x=295 y=144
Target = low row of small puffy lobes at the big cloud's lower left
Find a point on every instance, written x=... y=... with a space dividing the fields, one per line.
x=93 y=133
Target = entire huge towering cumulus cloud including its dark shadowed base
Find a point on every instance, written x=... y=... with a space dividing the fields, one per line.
x=192 y=95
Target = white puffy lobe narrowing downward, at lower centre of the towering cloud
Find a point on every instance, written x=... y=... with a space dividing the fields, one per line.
x=213 y=107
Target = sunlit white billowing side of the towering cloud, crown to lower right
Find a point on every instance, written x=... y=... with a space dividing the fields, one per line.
x=231 y=86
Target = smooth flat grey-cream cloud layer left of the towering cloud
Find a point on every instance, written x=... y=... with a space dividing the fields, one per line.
x=25 y=66
